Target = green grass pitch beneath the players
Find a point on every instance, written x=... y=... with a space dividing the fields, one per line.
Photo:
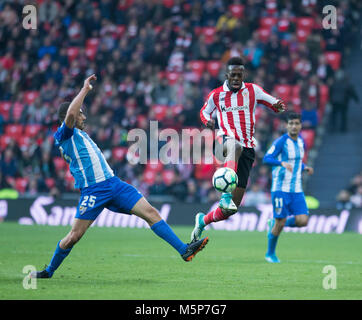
x=134 y=264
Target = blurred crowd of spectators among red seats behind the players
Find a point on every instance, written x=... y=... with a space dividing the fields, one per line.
x=156 y=60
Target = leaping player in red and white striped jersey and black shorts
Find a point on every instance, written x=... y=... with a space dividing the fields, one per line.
x=234 y=103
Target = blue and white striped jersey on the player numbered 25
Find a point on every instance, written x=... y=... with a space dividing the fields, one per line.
x=86 y=161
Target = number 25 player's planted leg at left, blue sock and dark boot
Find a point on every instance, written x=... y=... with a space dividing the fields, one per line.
x=64 y=247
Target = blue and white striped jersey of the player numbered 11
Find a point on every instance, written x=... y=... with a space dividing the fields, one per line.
x=291 y=151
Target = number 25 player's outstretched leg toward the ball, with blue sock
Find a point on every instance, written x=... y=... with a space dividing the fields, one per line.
x=144 y=210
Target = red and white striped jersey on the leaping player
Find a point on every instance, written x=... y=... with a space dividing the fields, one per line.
x=235 y=111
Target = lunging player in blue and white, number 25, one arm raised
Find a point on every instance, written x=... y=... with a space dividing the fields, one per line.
x=100 y=188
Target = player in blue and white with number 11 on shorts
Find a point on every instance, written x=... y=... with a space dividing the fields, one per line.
x=286 y=157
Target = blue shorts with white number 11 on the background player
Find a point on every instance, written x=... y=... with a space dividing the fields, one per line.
x=288 y=203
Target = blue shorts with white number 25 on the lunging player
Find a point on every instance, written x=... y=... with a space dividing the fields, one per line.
x=113 y=194
